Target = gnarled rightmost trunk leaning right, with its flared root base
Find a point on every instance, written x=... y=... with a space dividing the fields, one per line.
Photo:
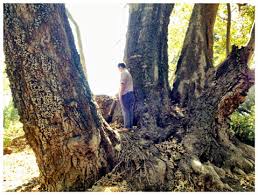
x=207 y=138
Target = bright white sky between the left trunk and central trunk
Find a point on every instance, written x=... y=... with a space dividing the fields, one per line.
x=103 y=33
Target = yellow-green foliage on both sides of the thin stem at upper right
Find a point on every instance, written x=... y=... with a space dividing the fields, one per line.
x=241 y=24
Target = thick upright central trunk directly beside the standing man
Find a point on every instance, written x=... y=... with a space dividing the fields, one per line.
x=146 y=57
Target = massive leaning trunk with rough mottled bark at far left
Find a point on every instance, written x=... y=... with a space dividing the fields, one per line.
x=73 y=145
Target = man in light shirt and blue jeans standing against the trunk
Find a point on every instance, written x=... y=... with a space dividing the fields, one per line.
x=126 y=96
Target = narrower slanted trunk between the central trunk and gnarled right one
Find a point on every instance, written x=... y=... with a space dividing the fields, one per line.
x=196 y=55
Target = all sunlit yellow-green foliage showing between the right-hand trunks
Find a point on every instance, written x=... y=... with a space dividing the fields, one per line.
x=241 y=24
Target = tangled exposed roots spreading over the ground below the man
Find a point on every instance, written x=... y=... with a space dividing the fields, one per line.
x=167 y=166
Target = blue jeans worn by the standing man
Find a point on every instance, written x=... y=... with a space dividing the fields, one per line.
x=127 y=105
